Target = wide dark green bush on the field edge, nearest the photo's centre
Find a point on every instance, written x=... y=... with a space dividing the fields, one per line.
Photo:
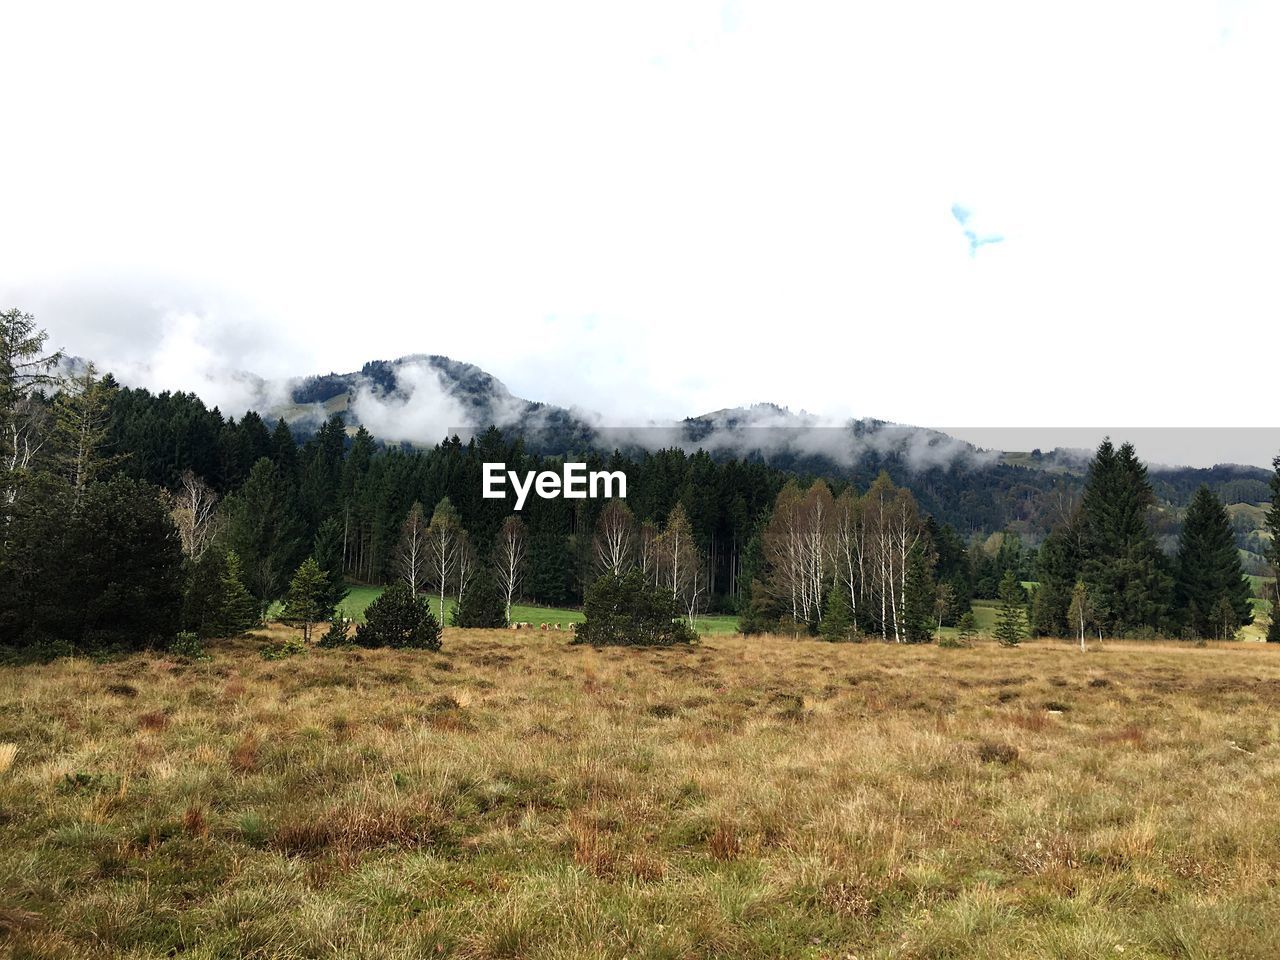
x=628 y=612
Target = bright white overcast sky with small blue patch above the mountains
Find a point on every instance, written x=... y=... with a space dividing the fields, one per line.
x=981 y=214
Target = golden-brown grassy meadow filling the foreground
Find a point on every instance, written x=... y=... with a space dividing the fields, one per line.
x=516 y=797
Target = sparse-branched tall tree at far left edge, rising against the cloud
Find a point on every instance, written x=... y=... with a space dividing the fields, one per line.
x=25 y=369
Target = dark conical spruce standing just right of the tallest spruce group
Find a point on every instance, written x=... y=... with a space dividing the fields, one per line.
x=1209 y=575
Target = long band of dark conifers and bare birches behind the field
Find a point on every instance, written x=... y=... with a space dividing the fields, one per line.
x=129 y=516
